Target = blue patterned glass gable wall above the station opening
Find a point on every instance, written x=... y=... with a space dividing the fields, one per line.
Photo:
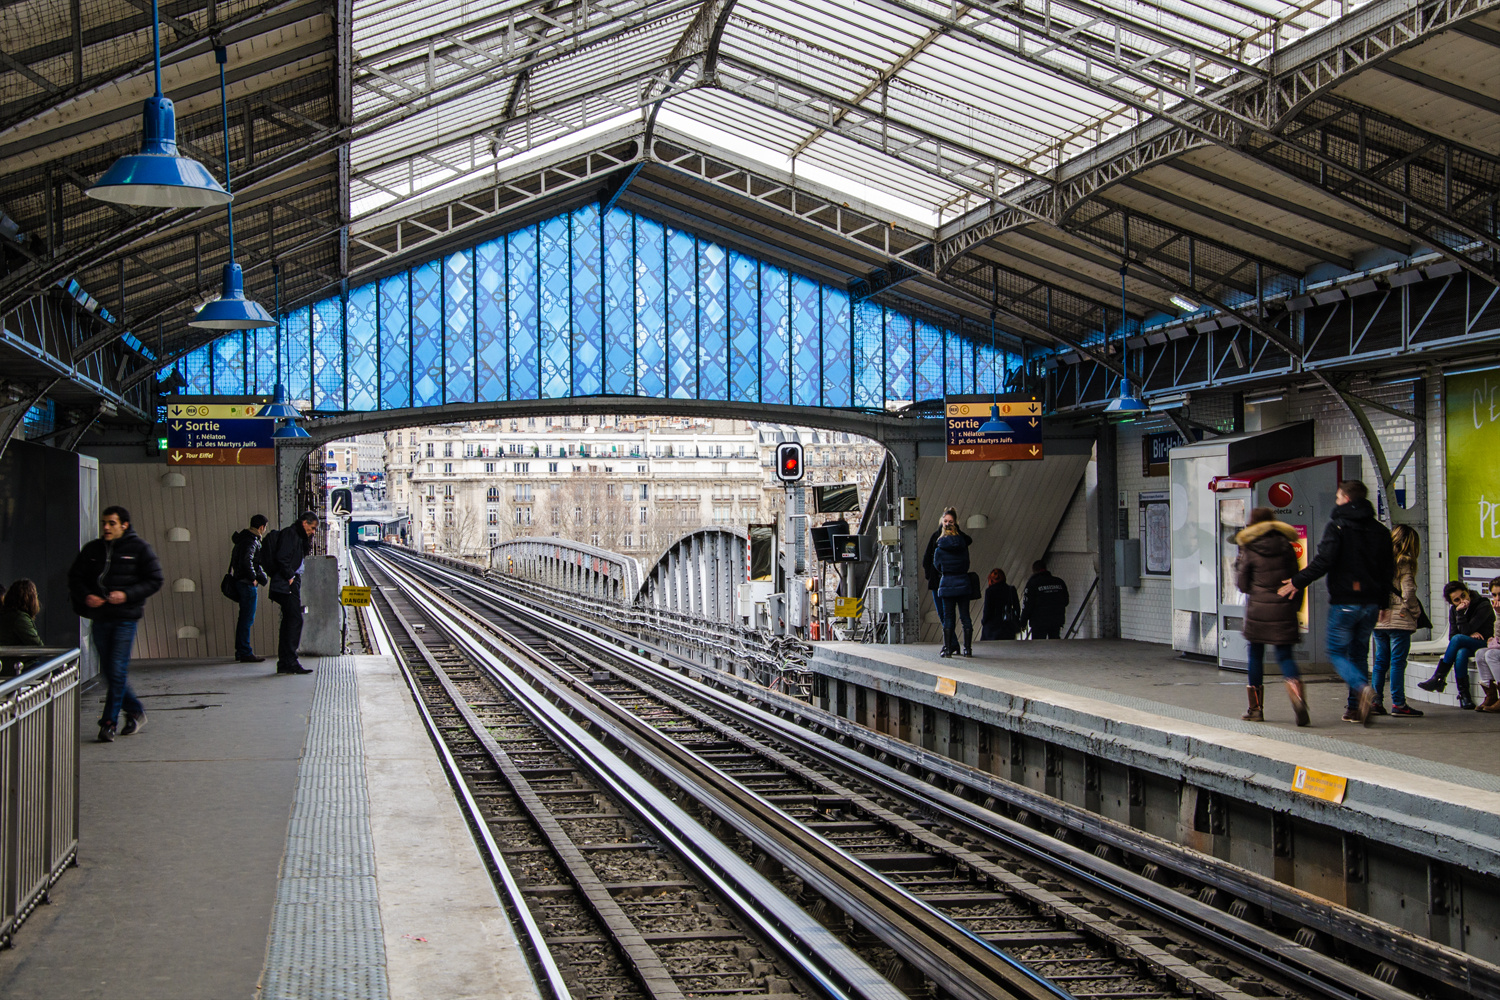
x=596 y=304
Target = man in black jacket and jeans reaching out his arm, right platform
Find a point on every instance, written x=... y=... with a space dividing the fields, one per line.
x=1357 y=558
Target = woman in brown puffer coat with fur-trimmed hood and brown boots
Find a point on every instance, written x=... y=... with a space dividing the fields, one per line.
x=1267 y=558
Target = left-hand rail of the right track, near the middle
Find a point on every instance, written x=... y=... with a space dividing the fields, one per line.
x=952 y=956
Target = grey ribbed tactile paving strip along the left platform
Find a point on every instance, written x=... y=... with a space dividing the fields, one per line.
x=326 y=936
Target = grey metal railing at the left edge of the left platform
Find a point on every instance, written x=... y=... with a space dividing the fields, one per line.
x=38 y=779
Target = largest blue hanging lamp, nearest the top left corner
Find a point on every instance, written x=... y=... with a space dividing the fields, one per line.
x=158 y=176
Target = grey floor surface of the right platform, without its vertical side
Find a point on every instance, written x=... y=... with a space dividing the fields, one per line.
x=1447 y=743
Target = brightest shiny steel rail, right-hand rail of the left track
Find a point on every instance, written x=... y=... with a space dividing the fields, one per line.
x=827 y=962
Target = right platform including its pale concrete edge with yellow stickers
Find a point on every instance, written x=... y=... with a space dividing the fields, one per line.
x=1429 y=785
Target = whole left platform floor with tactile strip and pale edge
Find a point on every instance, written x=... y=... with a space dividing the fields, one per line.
x=268 y=837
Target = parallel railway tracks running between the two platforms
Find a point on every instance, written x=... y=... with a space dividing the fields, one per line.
x=932 y=894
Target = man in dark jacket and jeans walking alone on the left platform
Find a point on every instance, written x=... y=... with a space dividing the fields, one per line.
x=109 y=584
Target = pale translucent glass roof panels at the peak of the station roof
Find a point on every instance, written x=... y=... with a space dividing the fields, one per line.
x=932 y=109
